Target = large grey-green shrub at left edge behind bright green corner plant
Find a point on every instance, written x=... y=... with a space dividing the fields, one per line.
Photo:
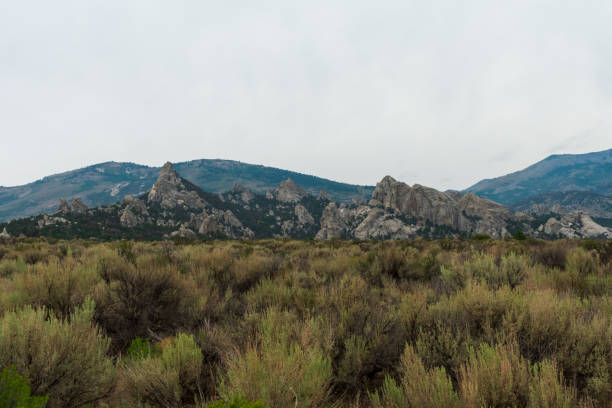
x=65 y=359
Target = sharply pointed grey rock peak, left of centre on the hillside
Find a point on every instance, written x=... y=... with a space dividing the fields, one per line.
x=170 y=191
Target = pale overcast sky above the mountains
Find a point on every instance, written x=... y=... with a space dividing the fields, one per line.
x=440 y=93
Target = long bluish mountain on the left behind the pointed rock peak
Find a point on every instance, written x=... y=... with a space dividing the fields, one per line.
x=108 y=183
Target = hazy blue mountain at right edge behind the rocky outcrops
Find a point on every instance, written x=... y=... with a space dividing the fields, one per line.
x=567 y=182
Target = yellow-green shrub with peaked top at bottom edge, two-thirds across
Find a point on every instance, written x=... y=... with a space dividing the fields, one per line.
x=417 y=386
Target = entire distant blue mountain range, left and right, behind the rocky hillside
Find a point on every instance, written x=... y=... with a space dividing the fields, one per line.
x=559 y=184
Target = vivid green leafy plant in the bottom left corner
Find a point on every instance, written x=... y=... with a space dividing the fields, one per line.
x=15 y=391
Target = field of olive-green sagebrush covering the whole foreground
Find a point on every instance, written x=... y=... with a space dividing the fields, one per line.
x=283 y=323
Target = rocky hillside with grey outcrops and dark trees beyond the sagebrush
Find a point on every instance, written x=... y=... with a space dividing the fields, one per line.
x=175 y=207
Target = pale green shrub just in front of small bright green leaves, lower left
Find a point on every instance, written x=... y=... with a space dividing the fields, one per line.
x=168 y=380
